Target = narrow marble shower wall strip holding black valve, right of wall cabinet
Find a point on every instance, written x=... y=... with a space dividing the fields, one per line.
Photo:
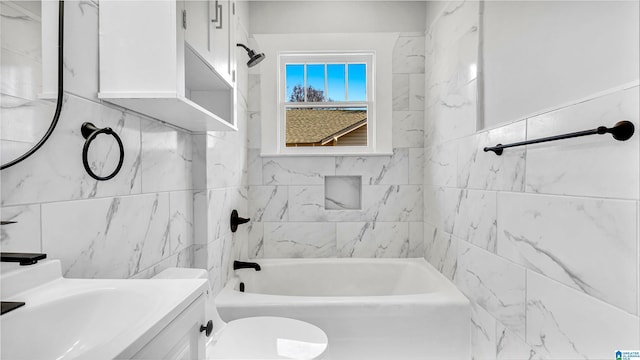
x=220 y=179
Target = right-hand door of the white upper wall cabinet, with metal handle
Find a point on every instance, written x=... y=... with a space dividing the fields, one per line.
x=223 y=38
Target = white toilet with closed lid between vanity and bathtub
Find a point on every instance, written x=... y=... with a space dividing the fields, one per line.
x=263 y=337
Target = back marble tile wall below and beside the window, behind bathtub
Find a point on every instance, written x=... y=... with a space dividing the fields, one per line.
x=287 y=194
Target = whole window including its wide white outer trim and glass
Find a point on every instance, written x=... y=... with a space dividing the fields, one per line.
x=317 y=61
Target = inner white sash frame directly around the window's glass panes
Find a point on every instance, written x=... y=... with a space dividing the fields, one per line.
x=367 y=58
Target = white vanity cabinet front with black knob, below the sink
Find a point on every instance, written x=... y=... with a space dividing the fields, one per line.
x=181 y=339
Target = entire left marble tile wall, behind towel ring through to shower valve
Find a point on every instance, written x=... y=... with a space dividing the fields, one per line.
x=146 y=218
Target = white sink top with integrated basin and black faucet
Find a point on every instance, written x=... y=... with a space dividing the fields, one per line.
x=94 y=319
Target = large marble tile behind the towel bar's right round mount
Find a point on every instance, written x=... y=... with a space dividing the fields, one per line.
x=584 y=166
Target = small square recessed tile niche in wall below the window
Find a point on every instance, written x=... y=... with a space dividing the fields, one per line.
x=342 y=192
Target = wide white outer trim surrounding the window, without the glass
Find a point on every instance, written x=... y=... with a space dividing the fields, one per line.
x=378 y=45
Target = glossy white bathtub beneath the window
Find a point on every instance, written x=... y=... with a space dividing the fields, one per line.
x=392 y=309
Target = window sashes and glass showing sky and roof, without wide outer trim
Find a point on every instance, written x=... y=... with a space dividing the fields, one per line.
x=326 y=99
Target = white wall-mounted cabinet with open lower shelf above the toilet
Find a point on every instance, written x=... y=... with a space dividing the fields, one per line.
x=162 y=58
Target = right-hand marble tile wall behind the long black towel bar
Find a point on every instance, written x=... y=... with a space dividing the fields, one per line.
x=544 y=239
